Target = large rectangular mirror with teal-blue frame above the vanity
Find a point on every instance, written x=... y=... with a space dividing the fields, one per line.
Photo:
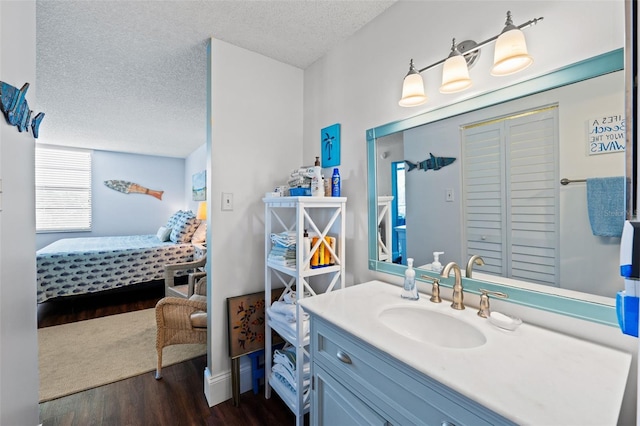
x=415 y=210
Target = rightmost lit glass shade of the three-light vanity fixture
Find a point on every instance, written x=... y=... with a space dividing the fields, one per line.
x=511 y=54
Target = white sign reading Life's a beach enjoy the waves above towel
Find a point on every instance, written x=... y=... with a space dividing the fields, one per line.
x=606 y=134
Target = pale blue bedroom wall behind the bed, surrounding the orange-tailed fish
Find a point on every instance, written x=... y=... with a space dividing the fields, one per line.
x=115 y=213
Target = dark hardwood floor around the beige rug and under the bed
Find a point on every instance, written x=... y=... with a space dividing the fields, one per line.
x=177 y=399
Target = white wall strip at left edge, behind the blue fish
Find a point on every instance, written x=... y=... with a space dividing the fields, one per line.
x=18 y=343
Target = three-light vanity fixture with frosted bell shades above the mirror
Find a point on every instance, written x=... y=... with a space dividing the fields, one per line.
x=510 y=57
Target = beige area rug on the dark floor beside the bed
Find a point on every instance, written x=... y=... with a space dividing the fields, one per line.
x=86 y=354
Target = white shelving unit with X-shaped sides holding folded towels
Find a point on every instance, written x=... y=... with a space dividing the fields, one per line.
x=322 y=217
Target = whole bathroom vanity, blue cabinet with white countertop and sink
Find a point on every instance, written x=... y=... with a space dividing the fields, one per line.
x=368 y=370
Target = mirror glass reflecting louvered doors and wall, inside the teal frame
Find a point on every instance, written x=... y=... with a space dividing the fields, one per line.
x=503 y=198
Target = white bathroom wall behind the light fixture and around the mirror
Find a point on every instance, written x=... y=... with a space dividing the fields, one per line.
x=358 y=84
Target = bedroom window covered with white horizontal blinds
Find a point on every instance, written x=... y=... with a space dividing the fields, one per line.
x=63 y=190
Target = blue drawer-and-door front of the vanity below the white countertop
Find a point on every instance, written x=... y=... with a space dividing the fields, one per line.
x=355 y=383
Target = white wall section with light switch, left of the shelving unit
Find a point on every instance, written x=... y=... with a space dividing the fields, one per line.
x=256 y=133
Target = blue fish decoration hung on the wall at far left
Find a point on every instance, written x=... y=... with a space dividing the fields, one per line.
x=16 y=109
